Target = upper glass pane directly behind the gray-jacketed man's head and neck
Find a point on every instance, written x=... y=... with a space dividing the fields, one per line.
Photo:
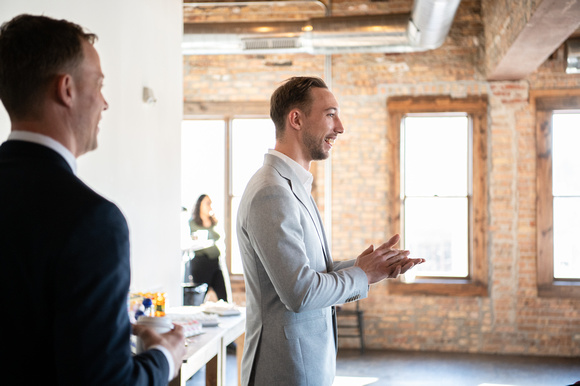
x=251 y=139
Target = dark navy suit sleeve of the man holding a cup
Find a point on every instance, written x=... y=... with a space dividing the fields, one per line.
x=92 y=323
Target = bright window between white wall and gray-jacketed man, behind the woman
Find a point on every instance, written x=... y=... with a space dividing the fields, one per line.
x=219 y=156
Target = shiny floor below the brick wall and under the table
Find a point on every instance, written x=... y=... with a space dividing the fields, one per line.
x=402 y=368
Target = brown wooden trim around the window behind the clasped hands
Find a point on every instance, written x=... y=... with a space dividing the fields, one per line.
x=476 y=108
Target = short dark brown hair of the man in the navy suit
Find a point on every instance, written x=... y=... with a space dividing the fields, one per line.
x=33 y=49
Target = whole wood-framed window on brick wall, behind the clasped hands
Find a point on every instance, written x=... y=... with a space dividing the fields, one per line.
x=438 y=151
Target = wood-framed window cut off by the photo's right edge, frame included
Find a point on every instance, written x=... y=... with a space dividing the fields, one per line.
x=558 y=189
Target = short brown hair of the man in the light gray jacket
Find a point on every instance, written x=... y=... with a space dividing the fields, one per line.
x=294 y=93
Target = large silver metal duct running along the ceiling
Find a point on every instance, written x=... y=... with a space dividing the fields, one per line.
x=423 y=29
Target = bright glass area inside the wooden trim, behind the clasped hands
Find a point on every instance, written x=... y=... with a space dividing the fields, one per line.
x=435 y=176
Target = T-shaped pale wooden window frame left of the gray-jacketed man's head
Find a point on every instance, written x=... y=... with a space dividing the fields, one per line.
x=227 y=111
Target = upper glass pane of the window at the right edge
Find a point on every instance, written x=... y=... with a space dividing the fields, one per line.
x=566 y=157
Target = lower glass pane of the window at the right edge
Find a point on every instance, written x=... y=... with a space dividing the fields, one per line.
x=566 y=232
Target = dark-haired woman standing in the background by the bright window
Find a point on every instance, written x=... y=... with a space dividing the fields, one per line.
x=206 y=266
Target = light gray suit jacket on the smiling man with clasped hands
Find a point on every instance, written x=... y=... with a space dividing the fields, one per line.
x=291 y=282
